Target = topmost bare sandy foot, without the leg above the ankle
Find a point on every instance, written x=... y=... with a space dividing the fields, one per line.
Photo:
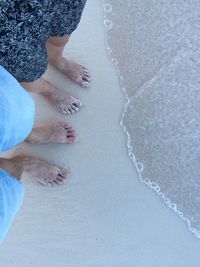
x=74 y=71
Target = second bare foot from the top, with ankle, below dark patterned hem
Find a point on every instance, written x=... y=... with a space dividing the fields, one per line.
x=62 y=102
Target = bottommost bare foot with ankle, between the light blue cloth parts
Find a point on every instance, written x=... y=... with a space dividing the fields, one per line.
x=40 y=171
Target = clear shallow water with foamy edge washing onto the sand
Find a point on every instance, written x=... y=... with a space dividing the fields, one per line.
x=155 y=49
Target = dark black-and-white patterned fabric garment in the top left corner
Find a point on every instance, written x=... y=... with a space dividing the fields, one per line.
x=25 y=26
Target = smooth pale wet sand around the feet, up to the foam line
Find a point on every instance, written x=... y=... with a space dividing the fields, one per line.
x=103 y=216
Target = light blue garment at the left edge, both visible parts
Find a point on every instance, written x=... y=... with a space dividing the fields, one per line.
x=17 y=111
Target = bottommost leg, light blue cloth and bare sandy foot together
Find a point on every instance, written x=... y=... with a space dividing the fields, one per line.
x=12 y=191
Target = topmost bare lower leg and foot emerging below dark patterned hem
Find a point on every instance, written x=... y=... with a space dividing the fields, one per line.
x=74 y=71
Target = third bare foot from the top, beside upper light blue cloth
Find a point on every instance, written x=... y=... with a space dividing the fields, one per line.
x=58 y=132
